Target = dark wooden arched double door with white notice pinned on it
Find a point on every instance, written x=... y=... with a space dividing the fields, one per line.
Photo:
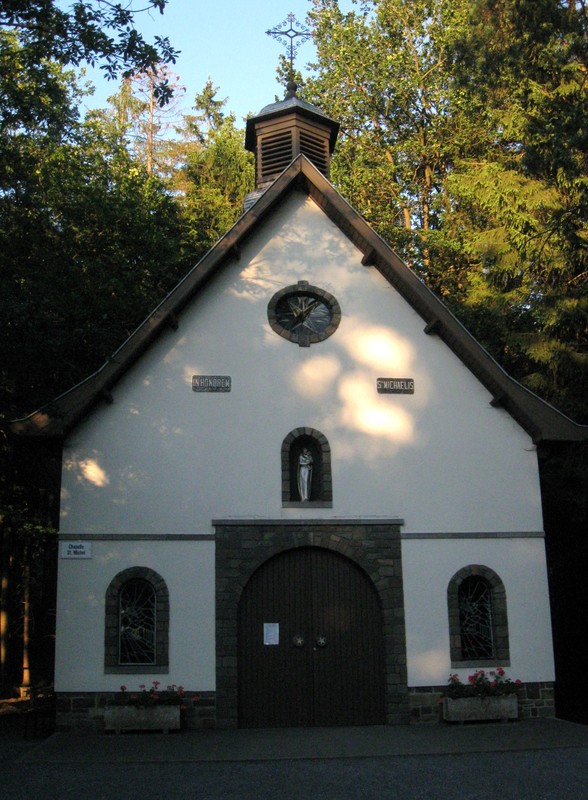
x=310 y=643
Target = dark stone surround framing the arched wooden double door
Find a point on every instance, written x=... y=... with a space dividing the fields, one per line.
x=244 y=545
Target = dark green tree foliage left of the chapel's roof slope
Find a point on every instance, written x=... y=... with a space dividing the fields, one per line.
x=88 y=223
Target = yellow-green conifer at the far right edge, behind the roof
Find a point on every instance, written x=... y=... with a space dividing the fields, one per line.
x=527 y=200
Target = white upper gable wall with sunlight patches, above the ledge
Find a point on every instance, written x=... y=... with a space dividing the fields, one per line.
x=162 y=458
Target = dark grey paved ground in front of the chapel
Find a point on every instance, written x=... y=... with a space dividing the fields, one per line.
x=543 y=760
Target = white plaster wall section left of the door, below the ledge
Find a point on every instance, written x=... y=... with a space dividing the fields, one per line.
x=188 y=570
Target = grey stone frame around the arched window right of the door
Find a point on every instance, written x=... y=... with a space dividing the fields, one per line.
x=499 y=618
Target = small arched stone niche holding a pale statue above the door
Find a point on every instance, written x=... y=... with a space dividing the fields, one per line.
x=306 y=469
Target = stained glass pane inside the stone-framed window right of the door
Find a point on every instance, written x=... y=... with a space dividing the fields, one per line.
x=475 y=618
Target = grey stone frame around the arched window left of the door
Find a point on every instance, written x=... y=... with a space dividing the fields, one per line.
x=112 y=620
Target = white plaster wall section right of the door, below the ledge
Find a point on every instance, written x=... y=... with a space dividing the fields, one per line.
x=428 y=566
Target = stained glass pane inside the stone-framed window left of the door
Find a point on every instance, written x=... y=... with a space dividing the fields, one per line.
x=137 y=622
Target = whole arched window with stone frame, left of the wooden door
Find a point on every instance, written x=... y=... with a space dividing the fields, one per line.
x=136 y=623
